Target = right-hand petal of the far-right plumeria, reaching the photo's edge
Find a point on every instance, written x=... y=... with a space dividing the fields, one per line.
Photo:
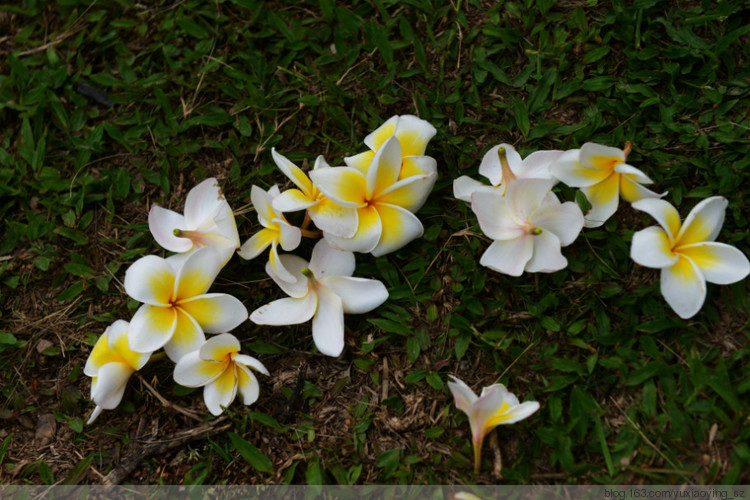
x=720 y=263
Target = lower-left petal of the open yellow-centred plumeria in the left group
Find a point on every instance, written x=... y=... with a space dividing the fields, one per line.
x=151 y=328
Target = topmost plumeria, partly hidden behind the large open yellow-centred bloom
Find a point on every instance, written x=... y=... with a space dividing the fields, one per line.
x=413 y=133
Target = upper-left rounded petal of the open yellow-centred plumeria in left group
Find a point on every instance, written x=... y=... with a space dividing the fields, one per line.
x=150 y=280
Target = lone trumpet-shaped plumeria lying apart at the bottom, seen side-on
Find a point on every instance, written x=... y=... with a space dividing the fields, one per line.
x=495 y=406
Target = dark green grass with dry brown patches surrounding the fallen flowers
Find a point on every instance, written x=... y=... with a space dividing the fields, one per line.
x=185 y=90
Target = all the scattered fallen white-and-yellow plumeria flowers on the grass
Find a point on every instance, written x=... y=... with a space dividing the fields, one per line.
x=368 y=206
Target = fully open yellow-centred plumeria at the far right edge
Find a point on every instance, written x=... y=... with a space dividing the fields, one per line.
x=686 y=253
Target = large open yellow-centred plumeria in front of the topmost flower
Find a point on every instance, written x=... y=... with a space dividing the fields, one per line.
x=385 y=204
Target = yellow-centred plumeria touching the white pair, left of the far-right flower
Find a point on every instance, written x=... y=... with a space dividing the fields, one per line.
x=603 y=176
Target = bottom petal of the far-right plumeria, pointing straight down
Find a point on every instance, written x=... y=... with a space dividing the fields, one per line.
x=683 y=287
